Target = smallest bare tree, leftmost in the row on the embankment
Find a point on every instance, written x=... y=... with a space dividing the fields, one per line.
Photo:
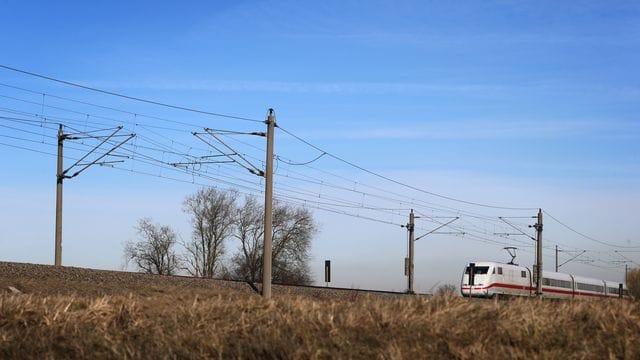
x=153 y=253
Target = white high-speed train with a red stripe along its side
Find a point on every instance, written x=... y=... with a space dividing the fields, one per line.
x=492 y=279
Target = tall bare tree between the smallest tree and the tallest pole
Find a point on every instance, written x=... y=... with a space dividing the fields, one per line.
x=212 y=217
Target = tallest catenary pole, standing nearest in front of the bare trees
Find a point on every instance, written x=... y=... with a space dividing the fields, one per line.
x=268 y=209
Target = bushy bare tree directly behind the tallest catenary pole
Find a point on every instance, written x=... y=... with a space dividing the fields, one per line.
x=293 y=229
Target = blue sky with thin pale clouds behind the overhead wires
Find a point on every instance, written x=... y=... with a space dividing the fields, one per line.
x=515 y=103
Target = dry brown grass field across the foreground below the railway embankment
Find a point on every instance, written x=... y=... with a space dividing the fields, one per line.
x=245 y=326
